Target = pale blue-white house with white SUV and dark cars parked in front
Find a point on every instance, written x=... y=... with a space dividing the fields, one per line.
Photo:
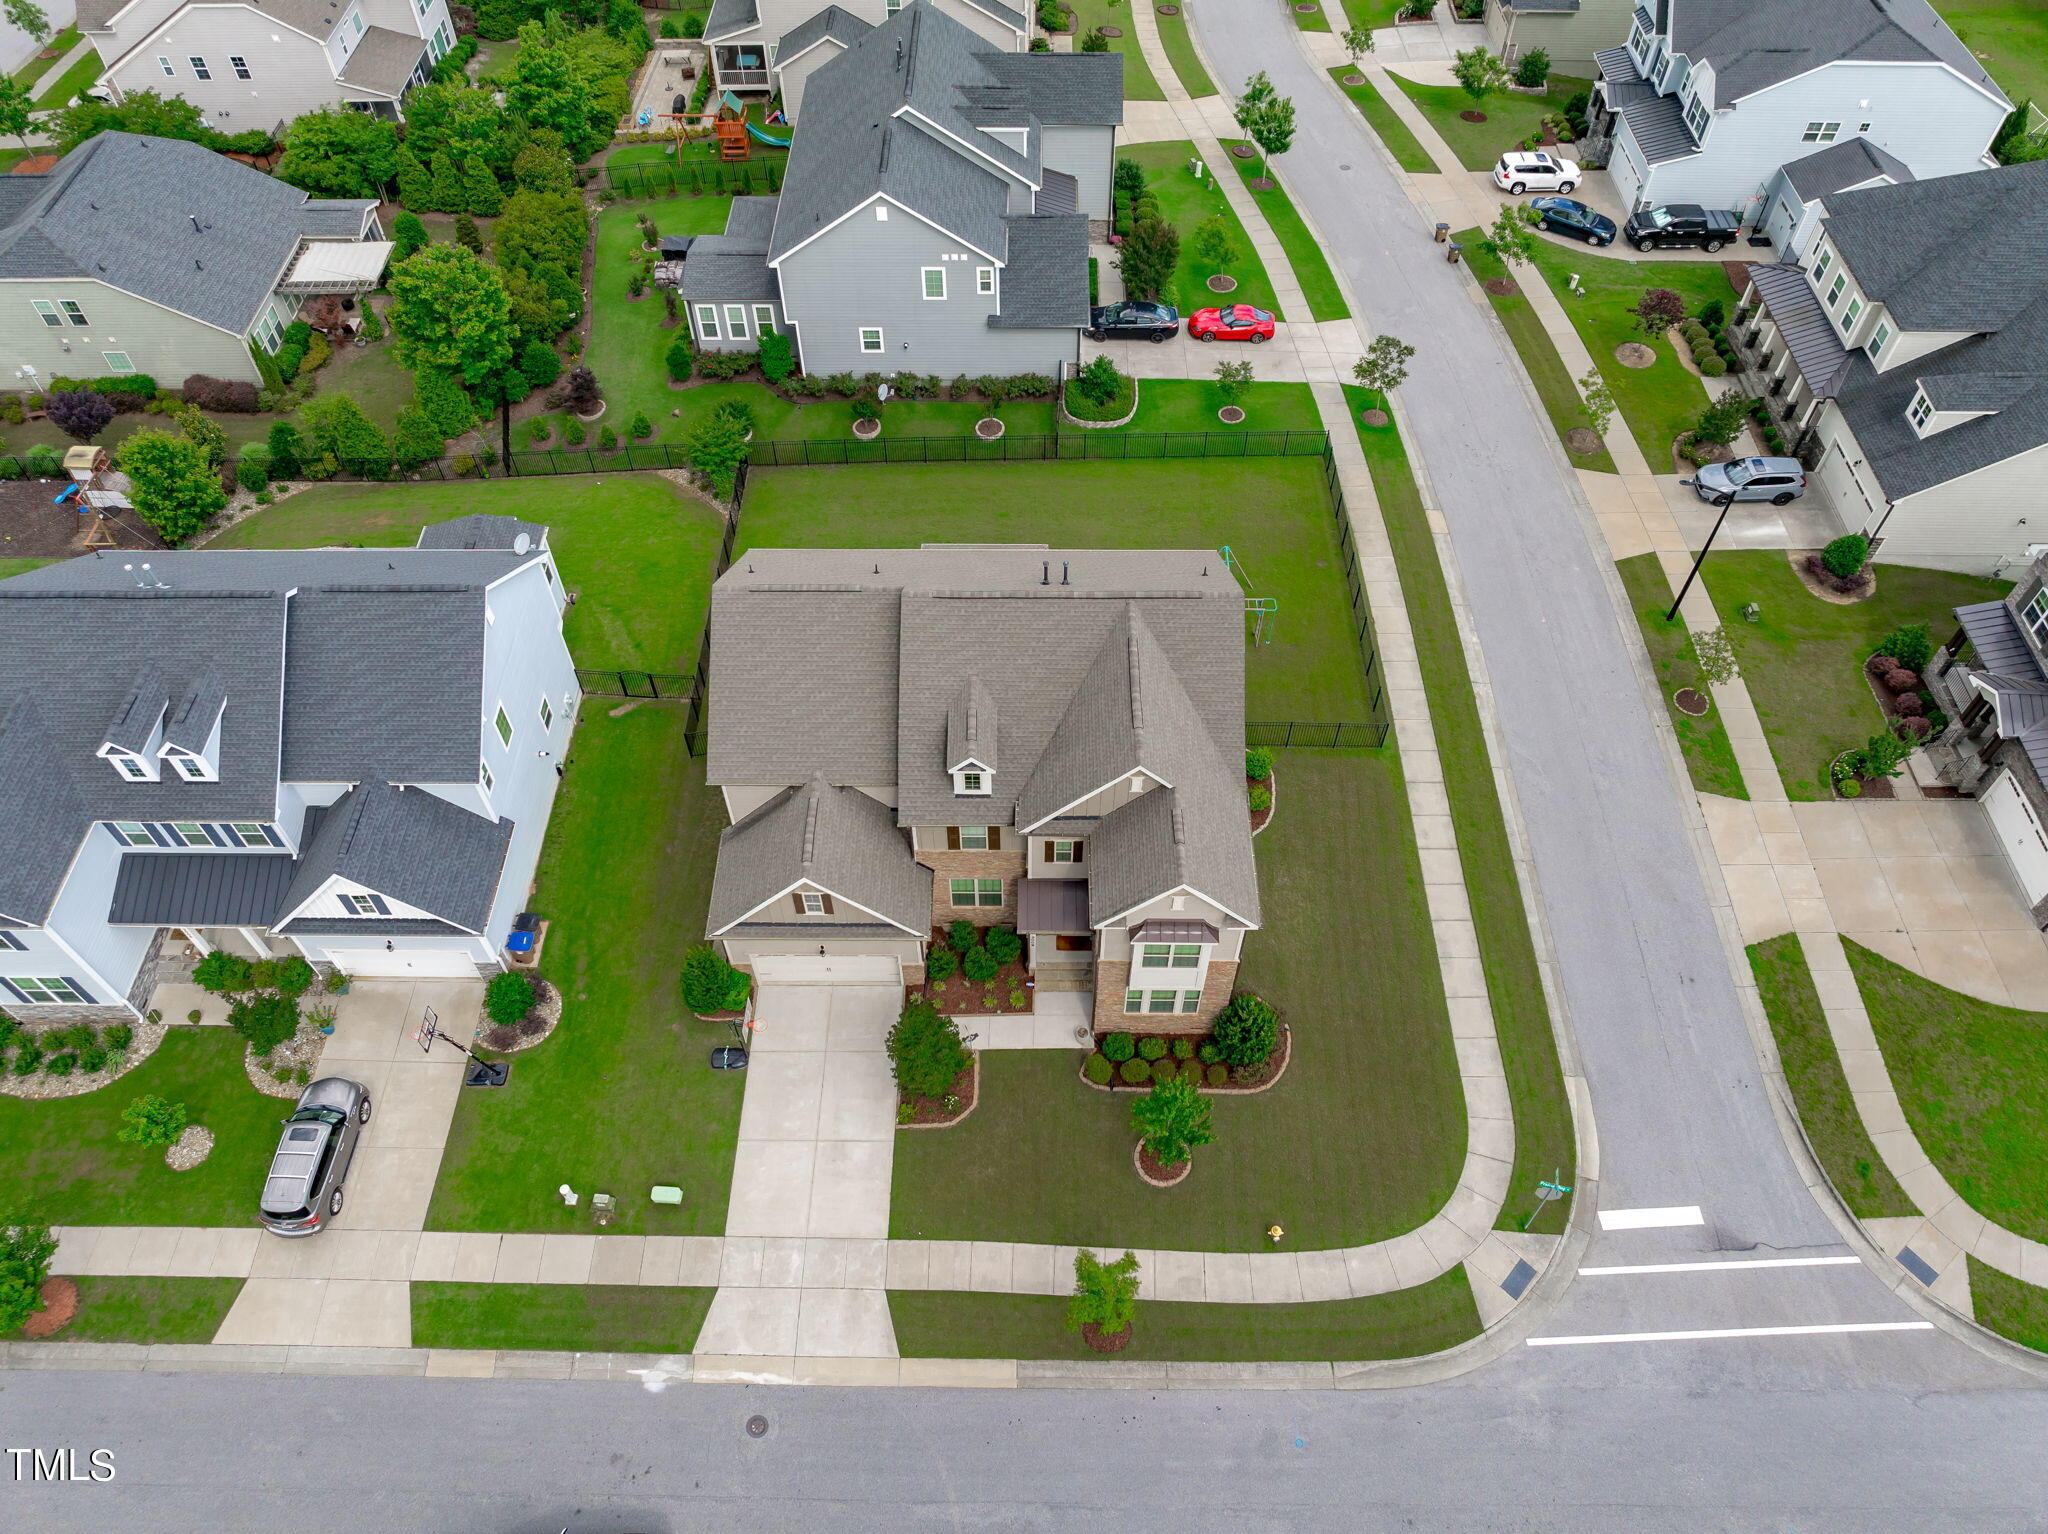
x=1711 y=97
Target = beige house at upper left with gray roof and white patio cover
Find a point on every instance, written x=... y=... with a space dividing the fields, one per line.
x=138 y=255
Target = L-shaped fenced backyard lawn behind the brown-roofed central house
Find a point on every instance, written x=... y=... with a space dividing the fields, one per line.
x=1269 y=511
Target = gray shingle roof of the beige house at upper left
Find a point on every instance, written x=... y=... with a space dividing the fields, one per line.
x=122 y=210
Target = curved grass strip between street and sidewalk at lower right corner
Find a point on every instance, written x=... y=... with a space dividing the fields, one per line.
x=1820 y=1089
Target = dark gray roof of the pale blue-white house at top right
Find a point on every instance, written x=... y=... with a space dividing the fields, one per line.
x=1758 y=46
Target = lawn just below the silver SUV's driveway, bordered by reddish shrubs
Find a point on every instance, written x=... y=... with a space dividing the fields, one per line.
x=1803 y=656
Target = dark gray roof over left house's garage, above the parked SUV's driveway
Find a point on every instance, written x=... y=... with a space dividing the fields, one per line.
x=407 y=845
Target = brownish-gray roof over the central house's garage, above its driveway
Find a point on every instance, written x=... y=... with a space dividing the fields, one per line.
x=837 y=839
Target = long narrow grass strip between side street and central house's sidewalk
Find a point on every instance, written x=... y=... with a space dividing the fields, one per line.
x=1545 y=1140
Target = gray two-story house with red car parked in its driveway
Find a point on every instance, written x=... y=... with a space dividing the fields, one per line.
x=935 y=212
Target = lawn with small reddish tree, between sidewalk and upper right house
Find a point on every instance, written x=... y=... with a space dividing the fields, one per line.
x=1660 y=400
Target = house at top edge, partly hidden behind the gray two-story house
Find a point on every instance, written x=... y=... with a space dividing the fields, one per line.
x=761 y=46
